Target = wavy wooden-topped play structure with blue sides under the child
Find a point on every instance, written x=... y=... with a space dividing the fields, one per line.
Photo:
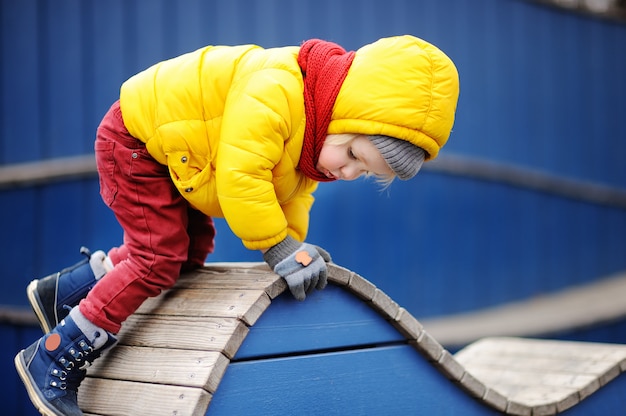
x=226 y=341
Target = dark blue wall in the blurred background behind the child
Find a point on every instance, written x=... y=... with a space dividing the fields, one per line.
x=542 y=90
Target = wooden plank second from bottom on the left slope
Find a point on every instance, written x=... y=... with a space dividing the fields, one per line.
x=162 y=366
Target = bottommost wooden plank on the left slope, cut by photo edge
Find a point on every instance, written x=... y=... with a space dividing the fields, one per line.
x=116 y=397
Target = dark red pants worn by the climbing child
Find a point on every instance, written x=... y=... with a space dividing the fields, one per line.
x=163 y=235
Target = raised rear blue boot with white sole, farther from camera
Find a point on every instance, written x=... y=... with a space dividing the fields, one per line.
x=53 y=296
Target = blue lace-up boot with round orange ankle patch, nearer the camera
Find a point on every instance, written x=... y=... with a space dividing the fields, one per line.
x=53 y=367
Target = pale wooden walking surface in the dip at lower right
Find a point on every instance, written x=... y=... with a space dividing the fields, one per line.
x=545 y=375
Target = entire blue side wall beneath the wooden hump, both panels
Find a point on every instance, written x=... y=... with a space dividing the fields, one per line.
x=332 y=354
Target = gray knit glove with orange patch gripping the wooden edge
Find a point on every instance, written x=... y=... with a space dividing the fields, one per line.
x=302 y=265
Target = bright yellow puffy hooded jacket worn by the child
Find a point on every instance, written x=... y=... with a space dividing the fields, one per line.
x=229 y=122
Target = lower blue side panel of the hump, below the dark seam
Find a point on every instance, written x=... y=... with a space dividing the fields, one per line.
x=378 y=381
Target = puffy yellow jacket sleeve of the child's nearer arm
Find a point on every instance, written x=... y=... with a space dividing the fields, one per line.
x=257 y=122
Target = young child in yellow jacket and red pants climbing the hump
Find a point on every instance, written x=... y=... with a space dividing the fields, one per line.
x=246 y=134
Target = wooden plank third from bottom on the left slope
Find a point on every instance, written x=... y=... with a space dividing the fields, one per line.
x=194 y=333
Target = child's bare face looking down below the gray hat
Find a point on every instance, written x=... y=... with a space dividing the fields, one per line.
x=351 y=160
